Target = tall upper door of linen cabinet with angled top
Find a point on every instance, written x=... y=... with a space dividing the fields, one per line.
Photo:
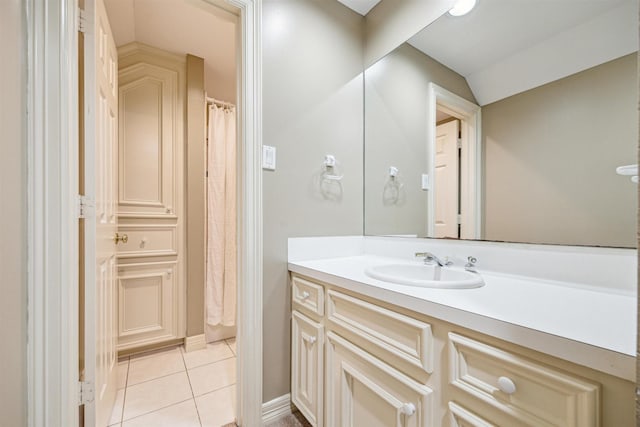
x=151 y=140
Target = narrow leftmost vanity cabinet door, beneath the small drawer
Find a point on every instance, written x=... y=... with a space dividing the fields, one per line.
x=307 y=365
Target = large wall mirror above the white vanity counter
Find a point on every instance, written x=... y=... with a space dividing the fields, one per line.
x=507 y=124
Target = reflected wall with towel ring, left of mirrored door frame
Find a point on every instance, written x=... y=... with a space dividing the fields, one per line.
x=396 y=111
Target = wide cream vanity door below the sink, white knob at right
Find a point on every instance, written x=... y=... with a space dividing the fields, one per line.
x=363 y=391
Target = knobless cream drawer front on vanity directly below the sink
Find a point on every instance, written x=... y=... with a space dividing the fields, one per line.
x=401 y=335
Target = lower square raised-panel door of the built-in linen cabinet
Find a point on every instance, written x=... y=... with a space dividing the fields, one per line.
x=146 y=295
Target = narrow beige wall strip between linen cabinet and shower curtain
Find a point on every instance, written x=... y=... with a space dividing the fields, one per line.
x=196 y=195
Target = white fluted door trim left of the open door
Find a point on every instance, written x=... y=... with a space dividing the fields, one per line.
x=52 y=266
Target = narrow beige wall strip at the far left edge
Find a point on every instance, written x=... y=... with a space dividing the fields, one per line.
x=13 y=213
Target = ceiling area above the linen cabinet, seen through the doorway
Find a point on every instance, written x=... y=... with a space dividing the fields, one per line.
x=194 y=27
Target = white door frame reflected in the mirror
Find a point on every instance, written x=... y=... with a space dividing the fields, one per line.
x=471 y=161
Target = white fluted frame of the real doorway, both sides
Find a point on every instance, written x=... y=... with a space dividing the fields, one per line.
x=52 y=206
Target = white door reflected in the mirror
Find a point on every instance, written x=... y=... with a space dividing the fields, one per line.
x=446 y=179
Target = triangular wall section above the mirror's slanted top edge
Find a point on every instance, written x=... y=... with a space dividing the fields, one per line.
x=392 y=22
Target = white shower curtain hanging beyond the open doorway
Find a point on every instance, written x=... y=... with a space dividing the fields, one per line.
x=221 y=217
